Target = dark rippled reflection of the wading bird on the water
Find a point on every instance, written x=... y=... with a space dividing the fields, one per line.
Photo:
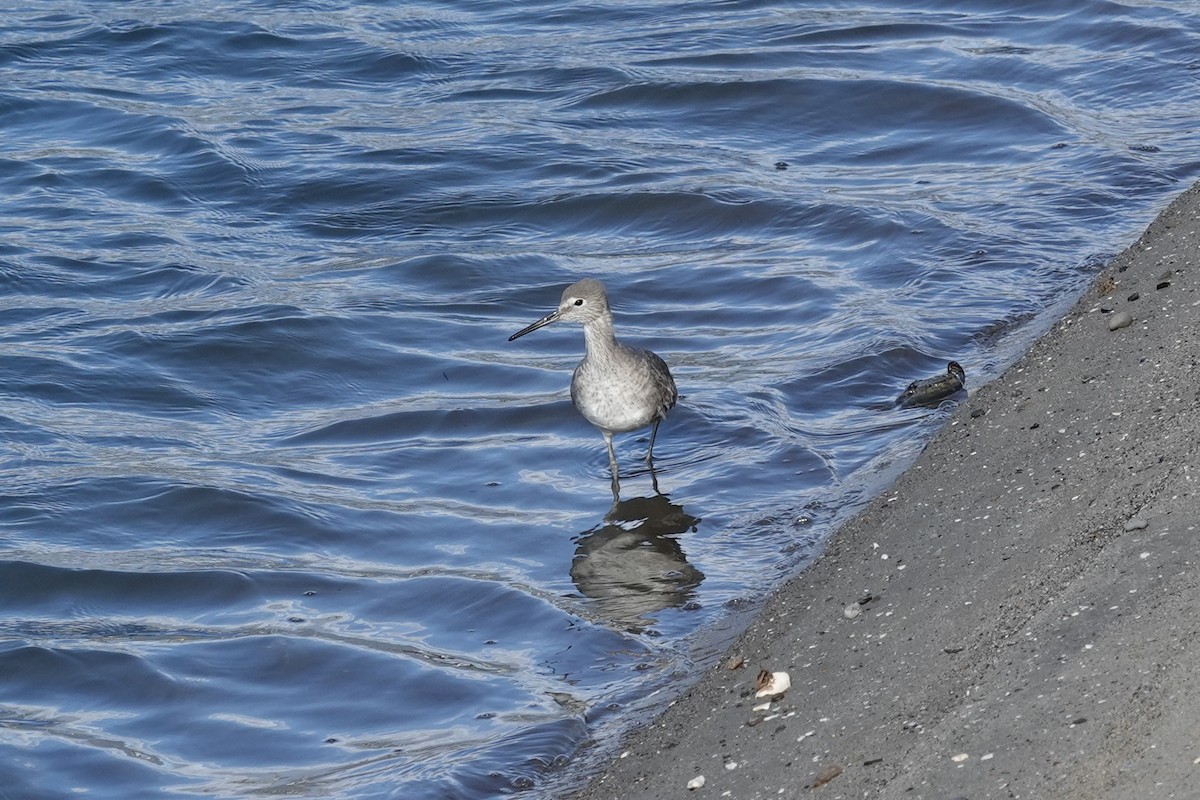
x=633 y=567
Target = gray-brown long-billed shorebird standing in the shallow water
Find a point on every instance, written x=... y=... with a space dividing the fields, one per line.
x=616 y=388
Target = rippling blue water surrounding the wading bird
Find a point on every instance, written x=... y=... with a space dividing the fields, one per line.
x=284 y=512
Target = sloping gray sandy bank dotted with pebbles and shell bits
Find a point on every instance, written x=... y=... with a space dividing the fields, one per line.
x=1029 y=594
